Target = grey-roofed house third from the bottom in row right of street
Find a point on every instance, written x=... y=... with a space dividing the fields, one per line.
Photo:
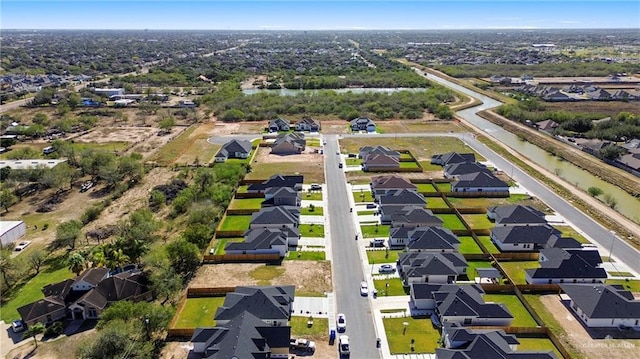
x=426 y=267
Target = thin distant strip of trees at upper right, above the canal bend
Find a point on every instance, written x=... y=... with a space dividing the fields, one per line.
x=540 y=70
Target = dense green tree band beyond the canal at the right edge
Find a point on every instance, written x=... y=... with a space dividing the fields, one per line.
x=621 y=127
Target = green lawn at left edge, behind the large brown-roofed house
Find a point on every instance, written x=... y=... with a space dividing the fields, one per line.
x=32 y=291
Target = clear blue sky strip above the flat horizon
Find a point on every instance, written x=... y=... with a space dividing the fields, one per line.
x=317 y=15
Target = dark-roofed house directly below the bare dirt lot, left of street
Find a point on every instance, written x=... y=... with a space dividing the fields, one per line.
x=272 y=304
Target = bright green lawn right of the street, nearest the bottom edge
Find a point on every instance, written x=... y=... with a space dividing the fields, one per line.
x=419 y=329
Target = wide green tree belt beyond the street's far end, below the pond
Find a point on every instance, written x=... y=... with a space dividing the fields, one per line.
x=232 y=105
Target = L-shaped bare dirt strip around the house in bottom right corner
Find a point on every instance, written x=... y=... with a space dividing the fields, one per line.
x=582 y=340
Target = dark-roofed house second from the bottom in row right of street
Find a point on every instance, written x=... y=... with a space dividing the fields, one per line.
x=462 y=305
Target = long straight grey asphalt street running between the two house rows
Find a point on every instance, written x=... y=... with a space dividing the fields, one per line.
x=347 y=267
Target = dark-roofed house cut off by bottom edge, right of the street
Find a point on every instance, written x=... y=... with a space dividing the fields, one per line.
x=460 y=342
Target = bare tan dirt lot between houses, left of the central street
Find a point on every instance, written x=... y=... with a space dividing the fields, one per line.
x=307 y=276
